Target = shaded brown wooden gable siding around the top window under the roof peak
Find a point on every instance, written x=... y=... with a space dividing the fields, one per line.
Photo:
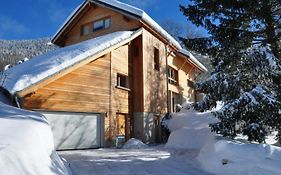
x=93 y=13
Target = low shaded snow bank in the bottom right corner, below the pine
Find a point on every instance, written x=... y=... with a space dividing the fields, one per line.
x=240 y=158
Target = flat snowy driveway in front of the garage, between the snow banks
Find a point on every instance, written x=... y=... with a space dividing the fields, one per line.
x=151 y=161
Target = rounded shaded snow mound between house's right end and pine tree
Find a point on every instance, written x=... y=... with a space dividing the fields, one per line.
x=190 y=129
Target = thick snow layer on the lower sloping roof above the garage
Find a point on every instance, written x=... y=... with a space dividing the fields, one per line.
x=41 y=67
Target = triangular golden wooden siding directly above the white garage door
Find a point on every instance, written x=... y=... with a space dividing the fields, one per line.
x=86 y=89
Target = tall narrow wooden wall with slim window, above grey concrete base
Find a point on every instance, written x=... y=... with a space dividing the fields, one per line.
x=155 y=84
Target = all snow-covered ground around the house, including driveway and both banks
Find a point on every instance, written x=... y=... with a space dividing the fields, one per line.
x=27 y=148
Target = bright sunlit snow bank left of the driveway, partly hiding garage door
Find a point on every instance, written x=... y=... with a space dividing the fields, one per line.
x=26 y=144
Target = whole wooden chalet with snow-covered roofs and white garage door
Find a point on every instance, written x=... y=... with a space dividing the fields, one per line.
x=116 y=73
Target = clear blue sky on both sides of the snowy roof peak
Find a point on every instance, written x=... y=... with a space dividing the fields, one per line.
x=28 y=19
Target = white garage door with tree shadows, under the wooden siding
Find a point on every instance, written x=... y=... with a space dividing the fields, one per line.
x=76 y=130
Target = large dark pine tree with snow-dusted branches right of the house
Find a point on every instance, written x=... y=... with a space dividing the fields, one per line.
x=245 y=46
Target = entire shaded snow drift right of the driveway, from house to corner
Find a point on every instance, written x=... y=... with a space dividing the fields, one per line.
x=218 y=155
